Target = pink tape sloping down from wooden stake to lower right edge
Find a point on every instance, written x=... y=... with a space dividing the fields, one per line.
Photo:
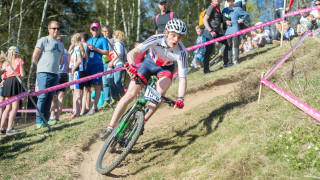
x=295 y=101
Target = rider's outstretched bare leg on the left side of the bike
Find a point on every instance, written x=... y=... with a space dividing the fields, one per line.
x=132 y=92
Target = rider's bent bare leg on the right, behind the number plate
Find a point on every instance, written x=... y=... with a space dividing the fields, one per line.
x=162 y=87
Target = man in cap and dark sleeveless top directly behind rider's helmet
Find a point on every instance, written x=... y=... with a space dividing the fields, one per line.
x=163 y=17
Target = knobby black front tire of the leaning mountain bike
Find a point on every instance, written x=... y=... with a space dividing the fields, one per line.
x=139 y=114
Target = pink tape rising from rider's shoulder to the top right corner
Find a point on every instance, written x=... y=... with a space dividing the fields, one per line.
x=251 y=28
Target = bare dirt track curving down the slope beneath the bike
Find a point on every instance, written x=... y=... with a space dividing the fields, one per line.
x=86 y=169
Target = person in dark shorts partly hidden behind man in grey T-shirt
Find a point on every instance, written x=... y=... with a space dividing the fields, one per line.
x=63 y=78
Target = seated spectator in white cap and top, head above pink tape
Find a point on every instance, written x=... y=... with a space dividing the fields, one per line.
x=262 y=37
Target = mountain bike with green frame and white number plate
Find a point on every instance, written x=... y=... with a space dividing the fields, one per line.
x=128 y=129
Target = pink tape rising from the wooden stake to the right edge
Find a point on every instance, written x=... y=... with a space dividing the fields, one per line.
x=289 y=53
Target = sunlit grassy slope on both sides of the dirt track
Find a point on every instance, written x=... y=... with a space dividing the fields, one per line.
x=229 y=137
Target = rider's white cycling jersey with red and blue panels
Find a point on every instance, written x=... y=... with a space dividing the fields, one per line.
x=163 y=55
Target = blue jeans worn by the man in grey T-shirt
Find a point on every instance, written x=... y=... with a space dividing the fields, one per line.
x=45 y=80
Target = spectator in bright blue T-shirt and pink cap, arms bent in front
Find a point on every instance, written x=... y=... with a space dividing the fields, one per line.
x=96 y=47
